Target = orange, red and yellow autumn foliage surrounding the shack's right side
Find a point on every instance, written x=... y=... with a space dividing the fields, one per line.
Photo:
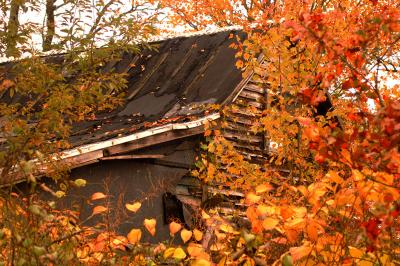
x=328 y=192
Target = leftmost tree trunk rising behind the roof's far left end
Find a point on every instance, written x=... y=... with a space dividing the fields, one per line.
x=12 y=28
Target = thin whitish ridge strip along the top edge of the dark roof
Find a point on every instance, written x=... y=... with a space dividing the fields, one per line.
x=152 y=39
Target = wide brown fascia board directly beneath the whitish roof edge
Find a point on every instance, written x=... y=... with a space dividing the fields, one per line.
x=153 y=140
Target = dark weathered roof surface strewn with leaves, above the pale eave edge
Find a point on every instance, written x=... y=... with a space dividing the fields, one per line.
x=173 y=84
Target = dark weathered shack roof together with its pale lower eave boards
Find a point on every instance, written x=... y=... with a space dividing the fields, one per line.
x=168 y=90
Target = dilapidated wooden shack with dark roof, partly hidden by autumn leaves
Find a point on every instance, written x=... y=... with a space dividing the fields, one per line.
x=144 y=150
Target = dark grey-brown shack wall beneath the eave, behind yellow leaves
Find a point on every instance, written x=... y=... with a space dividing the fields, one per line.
x=128 y=181
